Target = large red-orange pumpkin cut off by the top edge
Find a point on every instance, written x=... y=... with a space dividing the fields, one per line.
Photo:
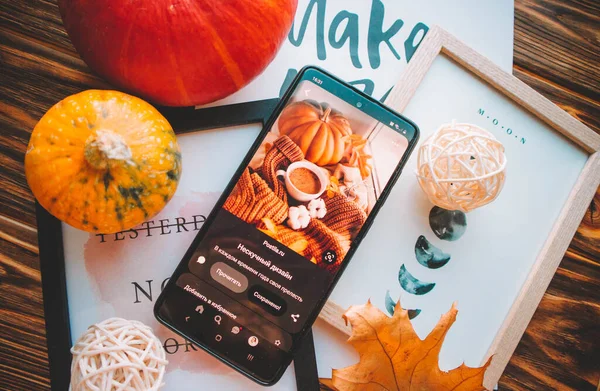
x=178 y=52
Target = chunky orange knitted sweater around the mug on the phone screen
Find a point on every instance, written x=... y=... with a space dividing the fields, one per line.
x=261 y=194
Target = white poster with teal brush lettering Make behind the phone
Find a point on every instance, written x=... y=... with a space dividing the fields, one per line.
x=368 y=42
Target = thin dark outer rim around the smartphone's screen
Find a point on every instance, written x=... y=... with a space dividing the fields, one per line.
x=305 y=332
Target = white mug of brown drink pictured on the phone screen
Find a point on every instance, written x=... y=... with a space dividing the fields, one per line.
x=304 y=180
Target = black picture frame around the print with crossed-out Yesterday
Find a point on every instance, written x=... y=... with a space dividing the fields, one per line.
x=52 y=261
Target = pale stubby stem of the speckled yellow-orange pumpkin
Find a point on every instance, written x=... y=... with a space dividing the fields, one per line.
x=105 y=149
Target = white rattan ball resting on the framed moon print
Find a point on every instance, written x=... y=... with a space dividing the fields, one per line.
x=461 y=167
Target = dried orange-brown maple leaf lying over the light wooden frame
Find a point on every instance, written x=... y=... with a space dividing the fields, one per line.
x=393 y=357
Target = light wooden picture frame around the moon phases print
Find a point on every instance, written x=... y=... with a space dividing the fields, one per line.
x=437 y=43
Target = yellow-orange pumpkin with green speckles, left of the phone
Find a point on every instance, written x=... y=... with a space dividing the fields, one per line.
x=103 y=161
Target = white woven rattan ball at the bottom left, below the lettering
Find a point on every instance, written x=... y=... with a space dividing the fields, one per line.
x=117 y=354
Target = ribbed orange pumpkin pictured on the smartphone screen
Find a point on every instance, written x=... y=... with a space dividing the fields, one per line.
x=320 y=131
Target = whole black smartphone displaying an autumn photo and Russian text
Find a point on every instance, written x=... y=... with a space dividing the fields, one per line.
x=269 y=254
